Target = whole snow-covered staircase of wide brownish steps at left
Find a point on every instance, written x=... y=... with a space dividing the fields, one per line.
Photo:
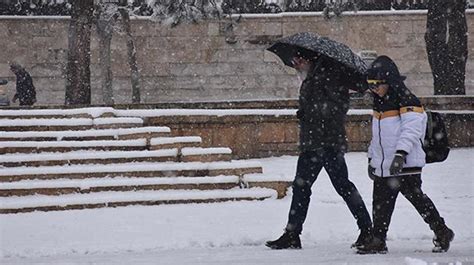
x=88 y=158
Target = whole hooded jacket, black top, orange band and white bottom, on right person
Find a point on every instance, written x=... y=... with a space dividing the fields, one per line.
x=399 y=122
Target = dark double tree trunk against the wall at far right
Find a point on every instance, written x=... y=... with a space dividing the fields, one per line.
x=446 y=45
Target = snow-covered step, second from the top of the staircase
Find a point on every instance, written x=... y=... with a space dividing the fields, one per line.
x=68 y=124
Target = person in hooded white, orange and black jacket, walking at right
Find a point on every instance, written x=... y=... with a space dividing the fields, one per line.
x=396 y=156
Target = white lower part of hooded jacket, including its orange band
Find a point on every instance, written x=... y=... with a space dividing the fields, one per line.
x=404 y=131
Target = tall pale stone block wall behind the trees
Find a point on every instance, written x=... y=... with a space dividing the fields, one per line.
x=205 y=62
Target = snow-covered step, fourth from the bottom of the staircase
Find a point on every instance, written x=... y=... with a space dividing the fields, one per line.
x=87 y=157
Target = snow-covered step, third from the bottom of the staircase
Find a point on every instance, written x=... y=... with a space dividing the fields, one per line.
x=165 y=169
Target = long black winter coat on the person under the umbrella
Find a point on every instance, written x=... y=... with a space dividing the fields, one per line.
x=323 y=104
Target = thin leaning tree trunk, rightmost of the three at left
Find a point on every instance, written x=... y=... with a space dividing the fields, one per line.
x=132 y=56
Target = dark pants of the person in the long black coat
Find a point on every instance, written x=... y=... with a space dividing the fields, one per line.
x=307 y=171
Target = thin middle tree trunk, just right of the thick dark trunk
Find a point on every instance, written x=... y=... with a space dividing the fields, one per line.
x=105 y=31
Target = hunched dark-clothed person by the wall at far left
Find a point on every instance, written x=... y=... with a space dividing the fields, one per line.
x=25 y=90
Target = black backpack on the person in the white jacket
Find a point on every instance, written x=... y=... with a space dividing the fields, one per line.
x=435 y=145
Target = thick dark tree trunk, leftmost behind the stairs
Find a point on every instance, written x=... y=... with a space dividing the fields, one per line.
x=78 y=84
